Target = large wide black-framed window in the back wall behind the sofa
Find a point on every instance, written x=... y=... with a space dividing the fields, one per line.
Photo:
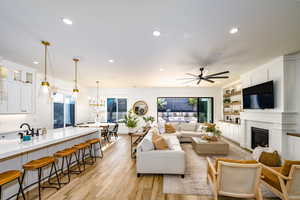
x=185 y=109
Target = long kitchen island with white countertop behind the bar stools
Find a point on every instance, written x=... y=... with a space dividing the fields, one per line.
x=14 y=152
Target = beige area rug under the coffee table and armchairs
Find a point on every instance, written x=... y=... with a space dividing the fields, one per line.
x=194 y=182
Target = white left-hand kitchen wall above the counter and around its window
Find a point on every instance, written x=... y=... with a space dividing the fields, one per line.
x=42 y=115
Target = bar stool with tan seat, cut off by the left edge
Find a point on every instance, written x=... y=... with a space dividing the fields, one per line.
x=9 y=176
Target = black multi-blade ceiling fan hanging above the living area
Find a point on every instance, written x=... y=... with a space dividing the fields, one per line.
x=207 y=78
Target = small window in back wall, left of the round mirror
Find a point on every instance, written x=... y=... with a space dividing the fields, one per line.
x=116 y=109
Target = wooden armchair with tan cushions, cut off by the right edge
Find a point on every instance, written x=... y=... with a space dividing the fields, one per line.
x=283 y=181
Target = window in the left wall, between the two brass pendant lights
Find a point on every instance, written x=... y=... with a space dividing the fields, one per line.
x=63 y=111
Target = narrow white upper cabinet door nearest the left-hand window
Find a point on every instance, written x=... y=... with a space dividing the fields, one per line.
x=26 y=98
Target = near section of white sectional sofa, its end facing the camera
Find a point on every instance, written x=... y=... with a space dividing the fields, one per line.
x=151 y=161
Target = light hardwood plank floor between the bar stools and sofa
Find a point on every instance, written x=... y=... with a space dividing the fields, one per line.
x=113 y=178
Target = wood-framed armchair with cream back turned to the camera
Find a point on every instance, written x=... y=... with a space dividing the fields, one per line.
x=235 y=178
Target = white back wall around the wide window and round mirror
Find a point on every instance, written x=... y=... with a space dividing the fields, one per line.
x=149 y=95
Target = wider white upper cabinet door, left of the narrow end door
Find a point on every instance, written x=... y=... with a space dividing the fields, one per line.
x=13 y=97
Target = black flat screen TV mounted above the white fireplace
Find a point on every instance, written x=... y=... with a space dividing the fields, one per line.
x=259 y=96
